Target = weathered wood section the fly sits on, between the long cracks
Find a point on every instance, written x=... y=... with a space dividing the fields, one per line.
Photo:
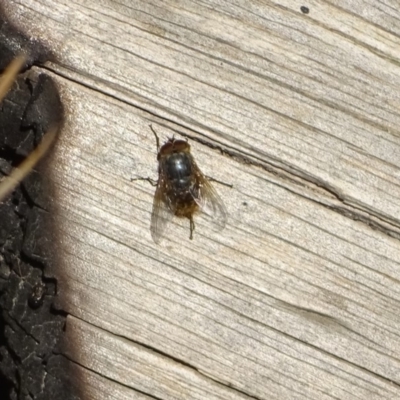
x=288 y=283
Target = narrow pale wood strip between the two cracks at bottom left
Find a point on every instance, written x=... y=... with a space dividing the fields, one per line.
x=140 y=368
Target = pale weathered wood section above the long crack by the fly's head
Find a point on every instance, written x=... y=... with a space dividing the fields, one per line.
x=259 y=79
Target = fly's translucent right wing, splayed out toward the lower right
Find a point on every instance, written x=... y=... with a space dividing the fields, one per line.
x=208 y=199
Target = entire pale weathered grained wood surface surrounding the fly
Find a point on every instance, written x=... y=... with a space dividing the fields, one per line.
x=298 y=298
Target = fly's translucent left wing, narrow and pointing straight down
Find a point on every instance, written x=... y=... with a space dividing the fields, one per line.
x=162 y=212
